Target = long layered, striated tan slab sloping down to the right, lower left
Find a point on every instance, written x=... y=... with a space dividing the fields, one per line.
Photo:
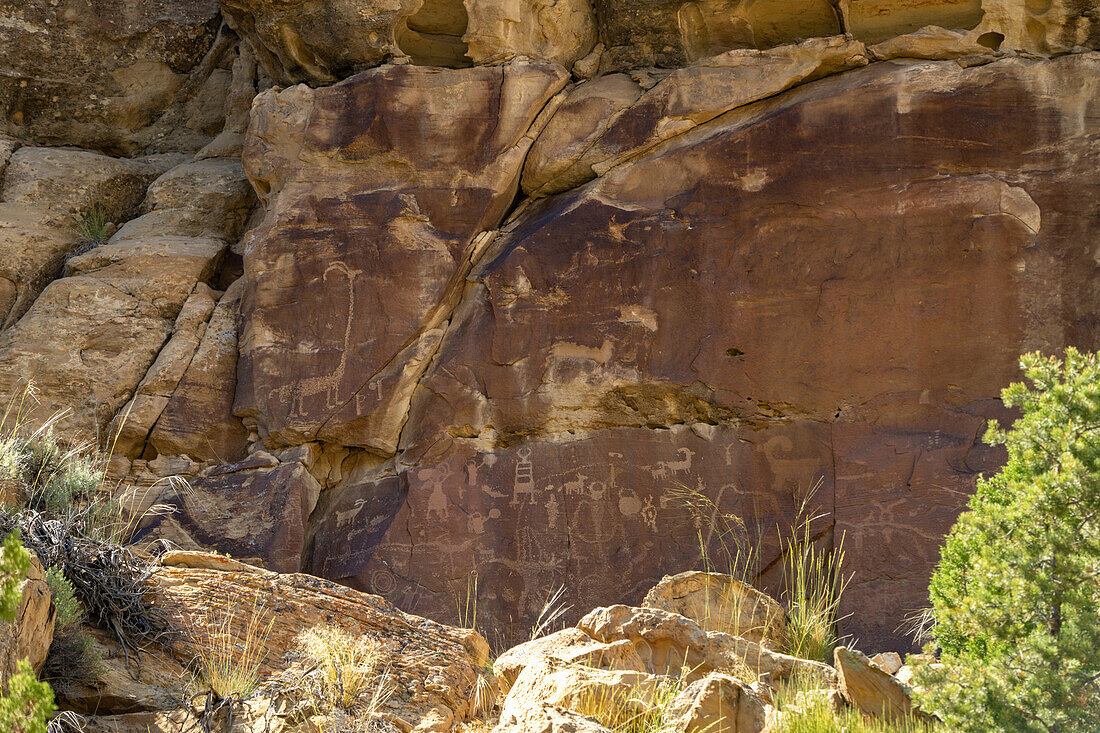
x=435 y=668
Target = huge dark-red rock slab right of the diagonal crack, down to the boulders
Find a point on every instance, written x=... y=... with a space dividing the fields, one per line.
x=701 y=316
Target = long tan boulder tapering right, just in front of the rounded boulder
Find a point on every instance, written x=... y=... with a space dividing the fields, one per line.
x=668 y=642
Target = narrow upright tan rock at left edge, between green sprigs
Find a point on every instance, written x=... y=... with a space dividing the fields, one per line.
x=30 y=634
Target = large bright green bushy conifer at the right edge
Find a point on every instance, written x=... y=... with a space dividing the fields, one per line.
x=1017 y=594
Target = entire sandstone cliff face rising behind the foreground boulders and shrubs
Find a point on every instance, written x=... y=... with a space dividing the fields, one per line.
x=521 y=278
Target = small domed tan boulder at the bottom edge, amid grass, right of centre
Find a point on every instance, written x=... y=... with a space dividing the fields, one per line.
x=718 y=704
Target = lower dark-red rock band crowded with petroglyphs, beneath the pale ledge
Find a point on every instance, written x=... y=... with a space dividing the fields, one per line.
x=595 y=516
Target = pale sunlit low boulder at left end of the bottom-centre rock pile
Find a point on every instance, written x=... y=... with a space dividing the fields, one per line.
x=568 y=647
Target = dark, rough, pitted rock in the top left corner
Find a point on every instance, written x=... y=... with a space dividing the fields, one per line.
x=104 y=75
